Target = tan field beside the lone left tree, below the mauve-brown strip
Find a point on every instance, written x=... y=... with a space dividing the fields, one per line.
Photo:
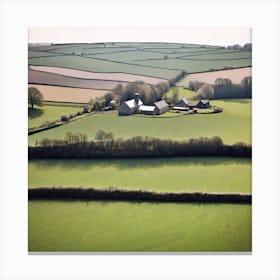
x=68 y=94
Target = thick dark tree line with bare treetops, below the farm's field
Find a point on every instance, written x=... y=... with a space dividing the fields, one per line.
x=105 y=145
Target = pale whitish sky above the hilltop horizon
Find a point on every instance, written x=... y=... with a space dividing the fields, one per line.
x=207 y=36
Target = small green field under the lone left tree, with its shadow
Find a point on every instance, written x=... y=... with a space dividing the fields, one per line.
x=40 y=115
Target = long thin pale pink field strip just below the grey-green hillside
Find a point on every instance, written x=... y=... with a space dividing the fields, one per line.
x=100 y=76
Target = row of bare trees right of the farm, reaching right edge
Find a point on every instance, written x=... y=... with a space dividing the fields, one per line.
x=224 y=88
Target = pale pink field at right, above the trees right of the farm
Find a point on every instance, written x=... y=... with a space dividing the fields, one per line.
x=235 y=75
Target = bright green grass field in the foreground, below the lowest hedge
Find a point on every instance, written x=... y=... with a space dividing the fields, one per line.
x=136 y=227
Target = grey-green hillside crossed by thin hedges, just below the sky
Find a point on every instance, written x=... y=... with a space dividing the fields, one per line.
x=160 y=60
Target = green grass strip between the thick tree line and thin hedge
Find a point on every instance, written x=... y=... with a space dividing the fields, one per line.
x=165 y=174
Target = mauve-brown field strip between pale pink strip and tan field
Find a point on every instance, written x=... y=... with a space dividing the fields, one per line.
x=38 y=77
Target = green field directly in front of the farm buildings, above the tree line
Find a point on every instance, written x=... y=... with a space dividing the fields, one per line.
x=232 y=125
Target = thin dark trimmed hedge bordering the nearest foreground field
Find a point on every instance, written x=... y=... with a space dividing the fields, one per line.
x=58 y=193
